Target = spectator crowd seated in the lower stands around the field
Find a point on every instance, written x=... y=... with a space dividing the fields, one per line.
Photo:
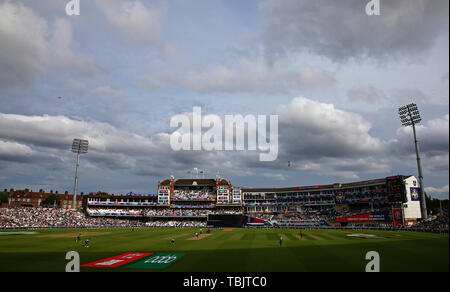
x=55 y=218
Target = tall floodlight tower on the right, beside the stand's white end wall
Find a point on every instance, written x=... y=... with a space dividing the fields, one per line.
x=410 y=116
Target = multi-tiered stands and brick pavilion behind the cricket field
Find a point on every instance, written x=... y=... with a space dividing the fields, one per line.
x=390 y=201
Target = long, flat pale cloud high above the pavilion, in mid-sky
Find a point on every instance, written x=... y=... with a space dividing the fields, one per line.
x=248 y=75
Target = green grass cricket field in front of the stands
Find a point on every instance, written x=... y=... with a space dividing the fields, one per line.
x=240 y=250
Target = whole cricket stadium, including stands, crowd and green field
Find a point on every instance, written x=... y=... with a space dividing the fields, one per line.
x=305 y=228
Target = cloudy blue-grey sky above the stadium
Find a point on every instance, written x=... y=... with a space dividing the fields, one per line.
x=334 y=76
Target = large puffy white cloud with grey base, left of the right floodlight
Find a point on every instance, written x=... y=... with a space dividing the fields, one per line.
x=320 y=139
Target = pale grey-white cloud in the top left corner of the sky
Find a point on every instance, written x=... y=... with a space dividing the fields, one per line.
x=31 y=46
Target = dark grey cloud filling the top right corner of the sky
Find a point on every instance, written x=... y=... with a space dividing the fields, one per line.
x=342 y=30
